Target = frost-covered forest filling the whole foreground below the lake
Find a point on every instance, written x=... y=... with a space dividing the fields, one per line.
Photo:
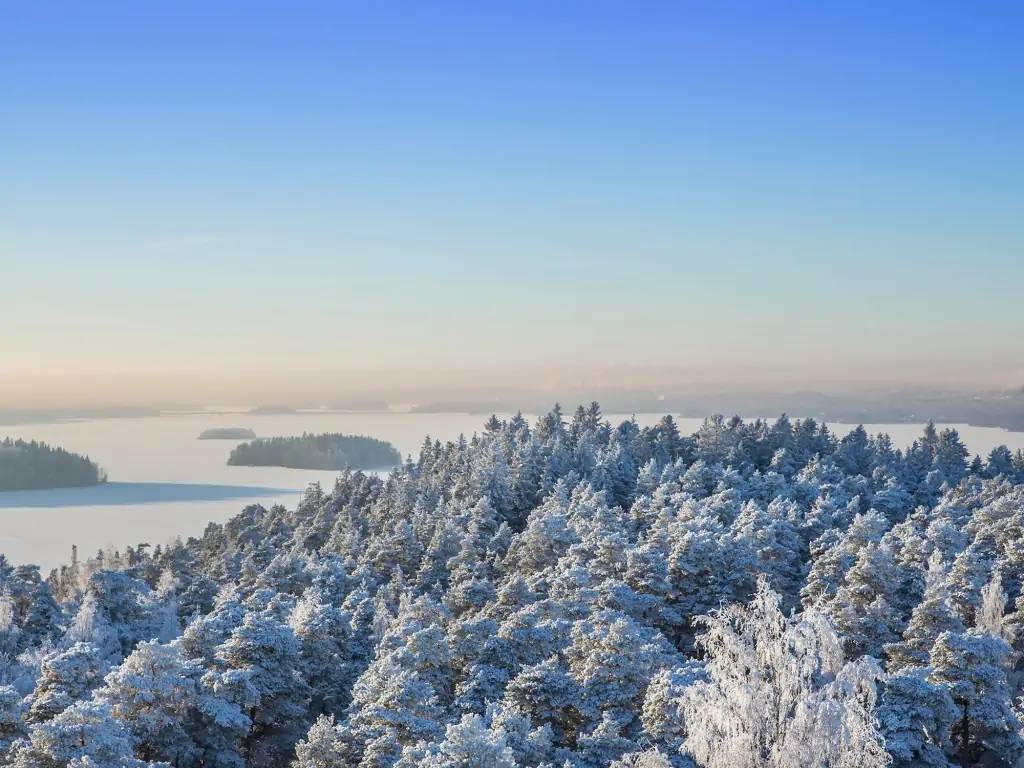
x=565 y=594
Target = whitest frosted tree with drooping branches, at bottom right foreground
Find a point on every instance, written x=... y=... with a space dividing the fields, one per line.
x=780 y=694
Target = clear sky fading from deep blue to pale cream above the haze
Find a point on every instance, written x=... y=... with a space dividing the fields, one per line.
x=188 y=186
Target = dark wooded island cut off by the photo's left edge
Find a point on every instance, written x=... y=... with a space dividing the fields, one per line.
x=36 y=466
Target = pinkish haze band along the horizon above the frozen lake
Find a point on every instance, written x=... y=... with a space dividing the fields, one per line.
x=315 y=389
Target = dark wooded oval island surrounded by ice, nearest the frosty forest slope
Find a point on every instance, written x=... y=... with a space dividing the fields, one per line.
x=317 y=452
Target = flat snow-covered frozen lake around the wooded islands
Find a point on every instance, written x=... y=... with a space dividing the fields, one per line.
x=165 y=483
